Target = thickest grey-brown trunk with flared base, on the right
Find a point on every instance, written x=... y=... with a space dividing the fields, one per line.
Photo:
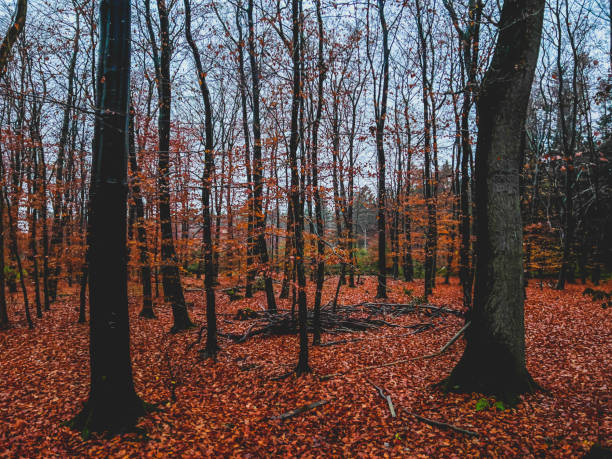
x=494 y=358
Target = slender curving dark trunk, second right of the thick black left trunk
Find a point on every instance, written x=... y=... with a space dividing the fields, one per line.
x=209 y=267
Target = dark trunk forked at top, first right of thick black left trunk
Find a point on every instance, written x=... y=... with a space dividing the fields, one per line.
x=171 y=280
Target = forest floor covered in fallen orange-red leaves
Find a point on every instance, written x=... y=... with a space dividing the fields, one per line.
x=227 y=407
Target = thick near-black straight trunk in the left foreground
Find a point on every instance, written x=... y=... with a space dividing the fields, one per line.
x=113 y=405
